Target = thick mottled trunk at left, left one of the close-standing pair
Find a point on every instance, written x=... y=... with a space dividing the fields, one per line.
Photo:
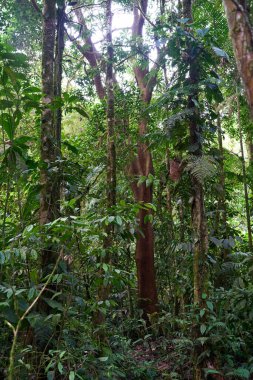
x=49 y=196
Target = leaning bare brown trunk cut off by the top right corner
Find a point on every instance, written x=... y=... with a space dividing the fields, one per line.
x=242 y=37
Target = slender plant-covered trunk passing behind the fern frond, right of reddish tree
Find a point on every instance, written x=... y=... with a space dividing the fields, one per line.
x=199 y=223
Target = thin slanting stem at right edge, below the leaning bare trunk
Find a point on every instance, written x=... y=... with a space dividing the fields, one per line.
x=245 y=185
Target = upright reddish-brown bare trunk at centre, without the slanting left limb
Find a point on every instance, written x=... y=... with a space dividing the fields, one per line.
x=142 y=166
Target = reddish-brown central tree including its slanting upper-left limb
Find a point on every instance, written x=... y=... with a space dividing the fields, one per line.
x=141 y=166
